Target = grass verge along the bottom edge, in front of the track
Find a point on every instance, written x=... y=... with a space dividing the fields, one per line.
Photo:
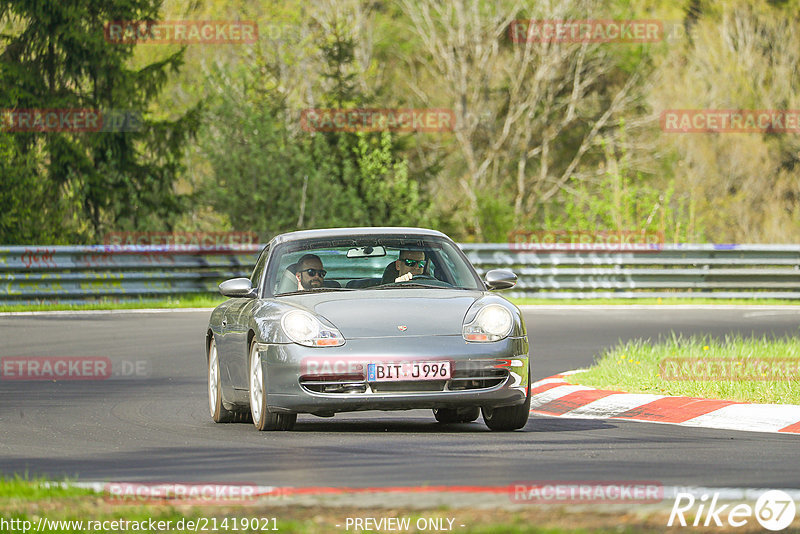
x=27 y=506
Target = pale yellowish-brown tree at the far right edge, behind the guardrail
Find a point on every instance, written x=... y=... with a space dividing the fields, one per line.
x=742 y=187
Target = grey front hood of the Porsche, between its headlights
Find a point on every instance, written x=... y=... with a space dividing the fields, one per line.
x=393 y=312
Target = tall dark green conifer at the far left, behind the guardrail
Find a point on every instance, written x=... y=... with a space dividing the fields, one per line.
x=57 y=57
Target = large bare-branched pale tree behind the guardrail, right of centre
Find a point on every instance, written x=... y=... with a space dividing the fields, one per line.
x=528 y=114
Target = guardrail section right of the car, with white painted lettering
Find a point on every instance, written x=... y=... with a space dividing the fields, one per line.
x=693 y=271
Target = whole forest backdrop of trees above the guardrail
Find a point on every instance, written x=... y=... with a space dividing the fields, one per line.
x=547 y=136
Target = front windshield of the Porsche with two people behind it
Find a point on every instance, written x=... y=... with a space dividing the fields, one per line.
x=372 y=262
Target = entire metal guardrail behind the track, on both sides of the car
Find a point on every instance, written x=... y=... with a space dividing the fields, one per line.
x=81 y=273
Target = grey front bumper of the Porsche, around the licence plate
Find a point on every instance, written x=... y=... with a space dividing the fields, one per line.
x=333 y=379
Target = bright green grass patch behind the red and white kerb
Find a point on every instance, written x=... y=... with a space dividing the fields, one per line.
x=643 y=367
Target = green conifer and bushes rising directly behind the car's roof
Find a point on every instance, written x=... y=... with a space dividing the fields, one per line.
x=270 y=176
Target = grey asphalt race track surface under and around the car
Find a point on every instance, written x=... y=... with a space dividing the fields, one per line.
x=153 y=425
